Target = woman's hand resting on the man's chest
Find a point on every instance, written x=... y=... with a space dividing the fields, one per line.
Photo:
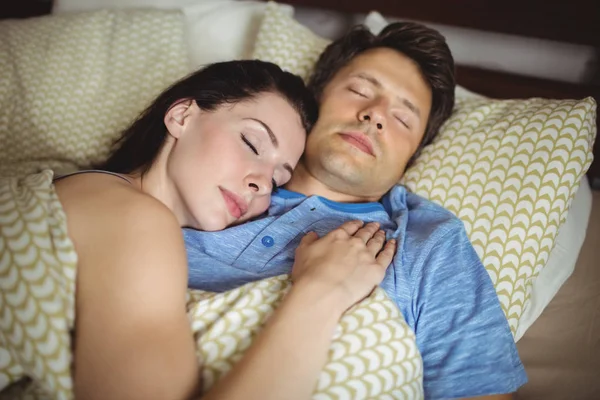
x=351 y=260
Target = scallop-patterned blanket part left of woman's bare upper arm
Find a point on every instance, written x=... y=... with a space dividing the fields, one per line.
x=37 y=285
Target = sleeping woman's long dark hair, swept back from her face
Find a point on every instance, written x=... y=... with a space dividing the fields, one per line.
x=215 y=85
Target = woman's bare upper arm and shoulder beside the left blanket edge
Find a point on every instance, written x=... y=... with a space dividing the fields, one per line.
x=132 y=336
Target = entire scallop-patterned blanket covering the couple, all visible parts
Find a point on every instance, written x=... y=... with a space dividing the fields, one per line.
x=373 y=354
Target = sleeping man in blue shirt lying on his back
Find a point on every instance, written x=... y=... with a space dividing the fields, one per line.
x=382 y=98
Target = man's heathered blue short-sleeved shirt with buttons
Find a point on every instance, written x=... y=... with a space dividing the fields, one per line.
x=436 y=279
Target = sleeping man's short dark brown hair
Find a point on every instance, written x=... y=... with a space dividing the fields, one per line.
x=424 y=45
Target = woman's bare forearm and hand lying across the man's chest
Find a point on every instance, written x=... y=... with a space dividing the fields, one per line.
x=330 y=275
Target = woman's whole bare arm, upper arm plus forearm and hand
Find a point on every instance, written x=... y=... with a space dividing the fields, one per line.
x=133 y=338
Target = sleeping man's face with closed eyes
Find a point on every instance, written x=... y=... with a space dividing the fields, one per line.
x=372 y=117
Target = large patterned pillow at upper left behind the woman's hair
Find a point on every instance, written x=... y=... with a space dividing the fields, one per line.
x=70 y=83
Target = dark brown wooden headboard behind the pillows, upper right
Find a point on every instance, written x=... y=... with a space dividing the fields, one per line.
x=574 y=22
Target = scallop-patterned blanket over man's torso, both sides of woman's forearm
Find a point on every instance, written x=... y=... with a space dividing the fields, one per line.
x=373 y=354
